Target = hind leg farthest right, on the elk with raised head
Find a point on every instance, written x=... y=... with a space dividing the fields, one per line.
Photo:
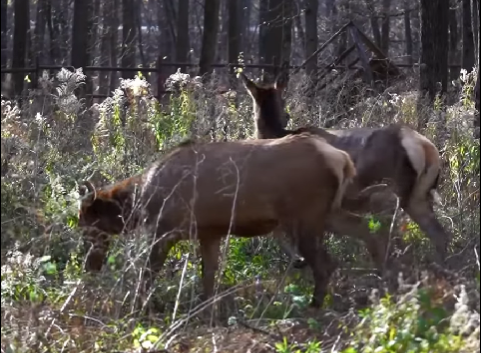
x=423 y=214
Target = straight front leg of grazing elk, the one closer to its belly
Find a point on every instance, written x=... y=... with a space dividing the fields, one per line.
x=210 y=250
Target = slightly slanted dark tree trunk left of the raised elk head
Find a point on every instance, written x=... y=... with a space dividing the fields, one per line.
x=209 y=37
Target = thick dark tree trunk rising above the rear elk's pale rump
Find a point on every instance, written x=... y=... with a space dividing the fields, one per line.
x=434 y=51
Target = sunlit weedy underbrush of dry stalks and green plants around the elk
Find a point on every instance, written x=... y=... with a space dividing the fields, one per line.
x=53 y=142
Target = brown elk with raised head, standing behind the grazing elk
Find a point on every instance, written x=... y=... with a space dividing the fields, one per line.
x=397 y=154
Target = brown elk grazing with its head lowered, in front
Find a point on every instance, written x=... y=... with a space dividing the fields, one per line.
x=246 y=188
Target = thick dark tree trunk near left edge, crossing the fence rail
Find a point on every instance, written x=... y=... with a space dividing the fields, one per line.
x=19 y=53
